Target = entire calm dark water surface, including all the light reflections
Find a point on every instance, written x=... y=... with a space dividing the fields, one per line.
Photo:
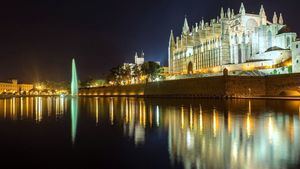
x=95 y=132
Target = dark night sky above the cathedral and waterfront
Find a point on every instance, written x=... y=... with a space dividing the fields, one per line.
x=38 y=38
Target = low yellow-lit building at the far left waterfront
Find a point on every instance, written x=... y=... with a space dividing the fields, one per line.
x=13 y=87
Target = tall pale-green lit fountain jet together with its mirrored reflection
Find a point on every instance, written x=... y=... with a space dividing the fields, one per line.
x=74 y=101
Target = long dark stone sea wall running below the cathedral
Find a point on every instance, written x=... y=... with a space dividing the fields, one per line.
x=220 y=86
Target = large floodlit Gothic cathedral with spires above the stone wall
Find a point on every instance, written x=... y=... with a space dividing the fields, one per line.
x=233 y=41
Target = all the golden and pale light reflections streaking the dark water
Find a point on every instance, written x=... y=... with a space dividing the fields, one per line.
x=199 y=133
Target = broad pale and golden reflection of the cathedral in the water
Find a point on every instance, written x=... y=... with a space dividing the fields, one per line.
x=214 y=140
